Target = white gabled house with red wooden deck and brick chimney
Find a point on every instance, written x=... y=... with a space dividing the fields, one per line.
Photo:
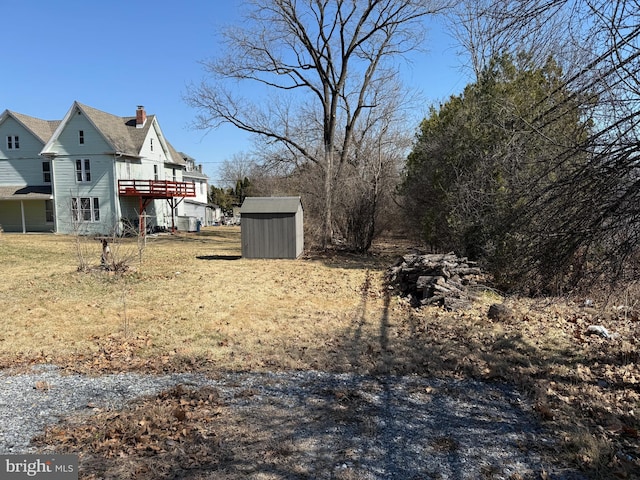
x=90 y=173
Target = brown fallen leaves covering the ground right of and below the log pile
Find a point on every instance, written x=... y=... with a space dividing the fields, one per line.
x=577 y=382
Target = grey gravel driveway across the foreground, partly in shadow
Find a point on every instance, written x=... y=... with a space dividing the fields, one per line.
x=340 y=425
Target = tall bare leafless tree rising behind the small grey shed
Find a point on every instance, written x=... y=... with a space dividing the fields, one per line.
x=323 y=58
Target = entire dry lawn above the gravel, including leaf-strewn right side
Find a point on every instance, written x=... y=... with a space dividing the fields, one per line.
x=191 y=304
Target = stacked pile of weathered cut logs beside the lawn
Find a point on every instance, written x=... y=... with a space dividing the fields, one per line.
x=435 y=279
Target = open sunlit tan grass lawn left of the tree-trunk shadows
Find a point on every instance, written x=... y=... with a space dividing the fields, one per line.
x=189 y=297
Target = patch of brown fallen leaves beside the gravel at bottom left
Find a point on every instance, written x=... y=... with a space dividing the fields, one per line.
x=157 y=434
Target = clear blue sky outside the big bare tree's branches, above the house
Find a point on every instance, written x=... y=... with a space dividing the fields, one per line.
x=118 y=54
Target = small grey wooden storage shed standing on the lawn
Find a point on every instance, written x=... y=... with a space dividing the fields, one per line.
x=272 y=227
